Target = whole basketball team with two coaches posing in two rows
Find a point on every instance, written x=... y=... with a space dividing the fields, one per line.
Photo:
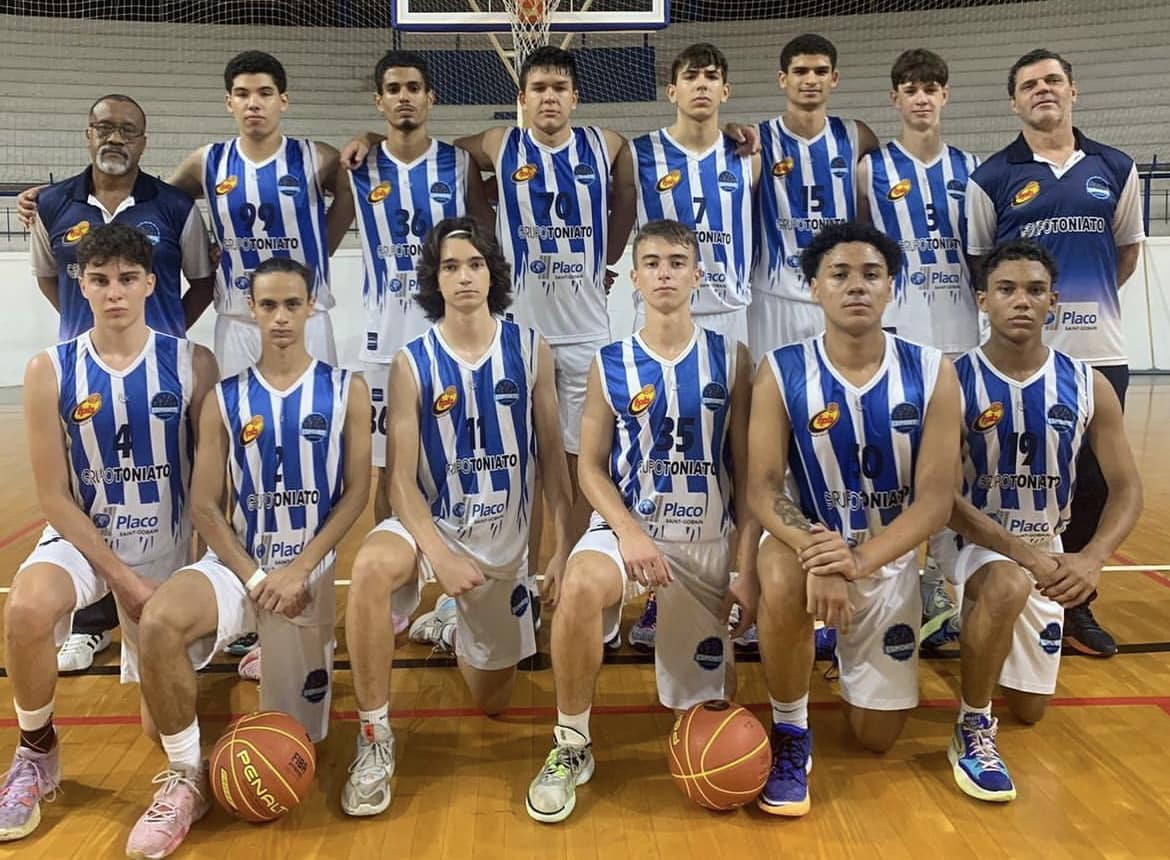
x=806 y=402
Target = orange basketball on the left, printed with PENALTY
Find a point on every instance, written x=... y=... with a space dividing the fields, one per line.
x=263 y=766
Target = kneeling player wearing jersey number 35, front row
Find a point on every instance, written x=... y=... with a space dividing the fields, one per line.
x=666 y=416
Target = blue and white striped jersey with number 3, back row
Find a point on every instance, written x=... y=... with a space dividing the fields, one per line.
x=923 y=208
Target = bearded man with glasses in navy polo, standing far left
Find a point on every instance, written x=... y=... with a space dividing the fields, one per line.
x=114 y=189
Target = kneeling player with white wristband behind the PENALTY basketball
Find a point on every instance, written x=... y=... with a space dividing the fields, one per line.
x=293 y=435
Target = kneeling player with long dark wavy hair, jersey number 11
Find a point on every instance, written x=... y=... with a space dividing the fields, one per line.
x=476 y=418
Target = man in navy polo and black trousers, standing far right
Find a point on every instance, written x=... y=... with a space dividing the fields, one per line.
x=1080 y=201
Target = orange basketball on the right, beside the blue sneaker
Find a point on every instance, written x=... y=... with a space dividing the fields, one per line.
x=719 y=755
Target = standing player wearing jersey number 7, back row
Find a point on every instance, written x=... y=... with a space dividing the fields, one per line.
x=690 y=173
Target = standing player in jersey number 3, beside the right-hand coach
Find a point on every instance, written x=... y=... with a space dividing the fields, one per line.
x=913 y=190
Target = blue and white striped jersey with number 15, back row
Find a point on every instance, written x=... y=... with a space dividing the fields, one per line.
x=807 y=184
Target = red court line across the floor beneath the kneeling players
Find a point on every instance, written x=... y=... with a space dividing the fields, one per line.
x=349 y=717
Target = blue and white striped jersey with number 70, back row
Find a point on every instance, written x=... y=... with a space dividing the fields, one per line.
x=553 y=226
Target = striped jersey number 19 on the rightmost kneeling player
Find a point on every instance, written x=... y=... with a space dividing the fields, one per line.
x=1023 y=438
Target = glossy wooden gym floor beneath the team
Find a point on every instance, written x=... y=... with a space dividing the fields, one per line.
x=1093 y=778
